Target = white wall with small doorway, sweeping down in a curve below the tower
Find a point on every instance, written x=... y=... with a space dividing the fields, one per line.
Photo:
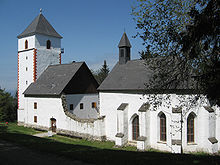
x=48 y=108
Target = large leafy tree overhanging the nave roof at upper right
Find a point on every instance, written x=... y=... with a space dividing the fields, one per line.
x=184 y=34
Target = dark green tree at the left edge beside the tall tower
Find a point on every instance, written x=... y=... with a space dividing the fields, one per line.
x=8 y=106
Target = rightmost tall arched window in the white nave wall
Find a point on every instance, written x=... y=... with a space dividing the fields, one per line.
x=190 y=128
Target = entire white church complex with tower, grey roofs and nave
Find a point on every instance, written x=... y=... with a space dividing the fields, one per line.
x=66 y=99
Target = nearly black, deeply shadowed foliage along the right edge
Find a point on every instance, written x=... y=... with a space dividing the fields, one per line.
x=200 y=43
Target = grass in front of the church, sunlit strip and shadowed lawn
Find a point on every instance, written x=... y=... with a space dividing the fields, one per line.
x=97 y=152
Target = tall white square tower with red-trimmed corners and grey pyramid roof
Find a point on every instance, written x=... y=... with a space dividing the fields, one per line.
x=39 y=46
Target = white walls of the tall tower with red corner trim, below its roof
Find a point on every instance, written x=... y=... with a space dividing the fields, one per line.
x=32 y=61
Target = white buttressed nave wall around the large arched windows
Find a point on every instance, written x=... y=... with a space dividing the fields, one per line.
x=149 y=124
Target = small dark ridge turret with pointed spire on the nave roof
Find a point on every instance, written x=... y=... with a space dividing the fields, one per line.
x=124 y=49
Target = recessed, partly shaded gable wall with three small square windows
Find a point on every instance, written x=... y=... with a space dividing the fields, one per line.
x=86 y=99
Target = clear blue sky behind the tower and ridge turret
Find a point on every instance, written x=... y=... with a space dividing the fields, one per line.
x=91 y=31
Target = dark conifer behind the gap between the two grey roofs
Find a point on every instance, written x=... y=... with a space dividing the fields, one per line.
x=102 y=73
